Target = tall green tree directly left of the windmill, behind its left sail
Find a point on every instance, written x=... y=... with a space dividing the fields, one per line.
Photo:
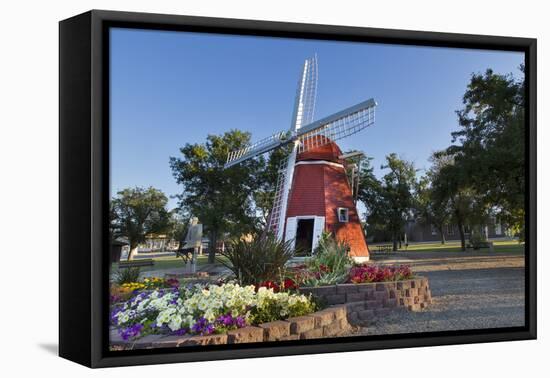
x=221 y=198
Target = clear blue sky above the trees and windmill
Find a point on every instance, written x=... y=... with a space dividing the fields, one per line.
x=172 y=88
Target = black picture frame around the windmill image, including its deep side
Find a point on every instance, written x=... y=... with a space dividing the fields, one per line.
x=84 y=185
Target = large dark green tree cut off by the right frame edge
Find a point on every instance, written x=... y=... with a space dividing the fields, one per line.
x=491 y=143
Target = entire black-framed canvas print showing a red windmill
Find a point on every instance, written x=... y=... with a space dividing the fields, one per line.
x=234 y=188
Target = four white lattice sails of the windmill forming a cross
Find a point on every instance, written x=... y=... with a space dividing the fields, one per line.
x=304 y=135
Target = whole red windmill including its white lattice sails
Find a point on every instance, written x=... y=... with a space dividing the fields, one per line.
x=313 y=193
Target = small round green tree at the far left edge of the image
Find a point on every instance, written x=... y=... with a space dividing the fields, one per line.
x=138 y=212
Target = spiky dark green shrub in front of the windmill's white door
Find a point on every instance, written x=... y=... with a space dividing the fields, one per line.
x=259 y=260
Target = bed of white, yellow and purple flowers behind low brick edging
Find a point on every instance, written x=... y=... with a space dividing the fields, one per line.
x=201 y=310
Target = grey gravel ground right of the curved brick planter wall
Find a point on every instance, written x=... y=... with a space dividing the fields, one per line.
x=468 y=294
